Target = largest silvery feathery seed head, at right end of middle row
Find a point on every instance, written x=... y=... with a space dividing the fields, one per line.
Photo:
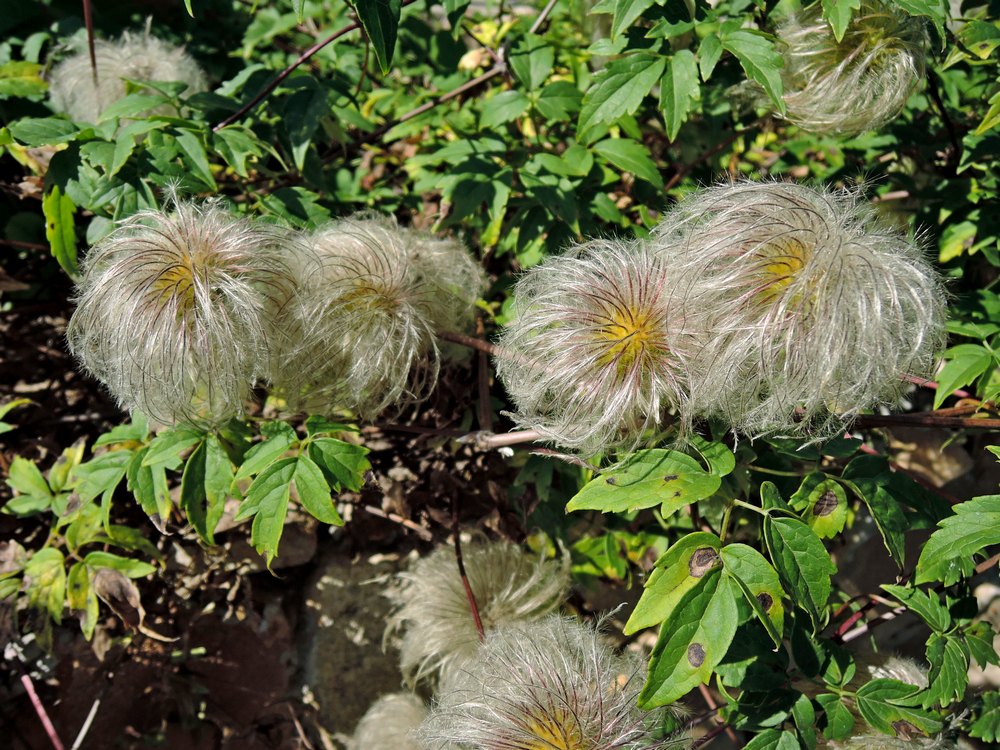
x=817 y=307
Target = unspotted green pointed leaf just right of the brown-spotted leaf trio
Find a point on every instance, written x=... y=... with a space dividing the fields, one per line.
x=803 y=564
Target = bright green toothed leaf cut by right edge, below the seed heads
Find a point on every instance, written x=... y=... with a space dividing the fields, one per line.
x=947 y=555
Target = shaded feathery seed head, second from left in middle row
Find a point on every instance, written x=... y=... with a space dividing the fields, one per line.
x=372 y=297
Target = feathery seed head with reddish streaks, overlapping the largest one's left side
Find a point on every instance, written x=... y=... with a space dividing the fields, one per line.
x=596 y=348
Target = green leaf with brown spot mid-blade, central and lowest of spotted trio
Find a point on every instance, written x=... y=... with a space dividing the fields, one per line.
x=693 y=640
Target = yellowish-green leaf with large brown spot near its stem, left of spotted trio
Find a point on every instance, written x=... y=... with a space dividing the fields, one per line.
x=676 y=572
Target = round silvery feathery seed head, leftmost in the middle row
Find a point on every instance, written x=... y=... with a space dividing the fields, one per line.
x=174 y=311
